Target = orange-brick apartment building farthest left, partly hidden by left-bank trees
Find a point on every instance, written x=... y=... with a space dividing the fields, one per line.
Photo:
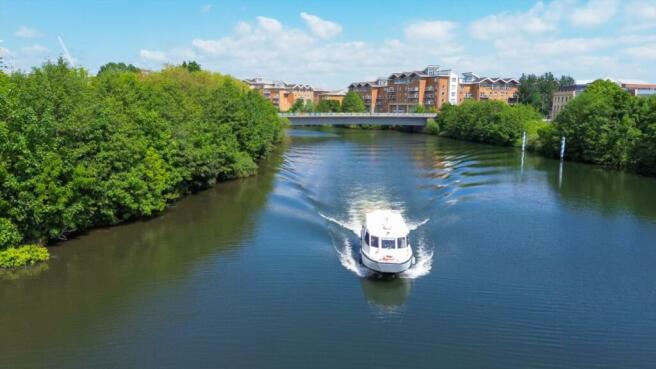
x=280 y=93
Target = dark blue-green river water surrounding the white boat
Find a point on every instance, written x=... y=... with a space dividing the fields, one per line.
x=522 y=263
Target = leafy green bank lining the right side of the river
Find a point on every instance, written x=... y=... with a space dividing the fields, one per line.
x=604 y=126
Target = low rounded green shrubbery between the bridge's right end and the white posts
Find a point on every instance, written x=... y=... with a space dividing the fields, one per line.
x=493 y=122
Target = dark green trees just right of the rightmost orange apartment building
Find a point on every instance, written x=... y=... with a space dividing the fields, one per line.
x=537 y=91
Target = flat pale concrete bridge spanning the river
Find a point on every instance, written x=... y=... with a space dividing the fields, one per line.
x=381 y=119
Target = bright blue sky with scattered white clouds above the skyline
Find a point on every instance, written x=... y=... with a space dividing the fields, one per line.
x=330 y=44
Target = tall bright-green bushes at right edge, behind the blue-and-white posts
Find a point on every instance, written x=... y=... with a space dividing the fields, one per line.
x=605 y=125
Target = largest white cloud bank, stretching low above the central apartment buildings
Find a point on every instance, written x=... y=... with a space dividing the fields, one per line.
x=267 y=48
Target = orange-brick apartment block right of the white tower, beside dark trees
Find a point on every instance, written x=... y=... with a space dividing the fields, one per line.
x=479 y=88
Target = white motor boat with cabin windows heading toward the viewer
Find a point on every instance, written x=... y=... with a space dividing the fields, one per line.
x=385 y=246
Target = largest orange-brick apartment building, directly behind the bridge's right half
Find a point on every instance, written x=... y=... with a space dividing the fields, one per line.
x=403 y=92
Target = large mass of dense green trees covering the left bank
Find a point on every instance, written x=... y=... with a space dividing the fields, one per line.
x=78 y=151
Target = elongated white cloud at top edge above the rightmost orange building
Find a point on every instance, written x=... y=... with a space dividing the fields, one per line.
x=539 y=19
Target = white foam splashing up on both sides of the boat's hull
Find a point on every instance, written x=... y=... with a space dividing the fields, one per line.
x=349 y=256
